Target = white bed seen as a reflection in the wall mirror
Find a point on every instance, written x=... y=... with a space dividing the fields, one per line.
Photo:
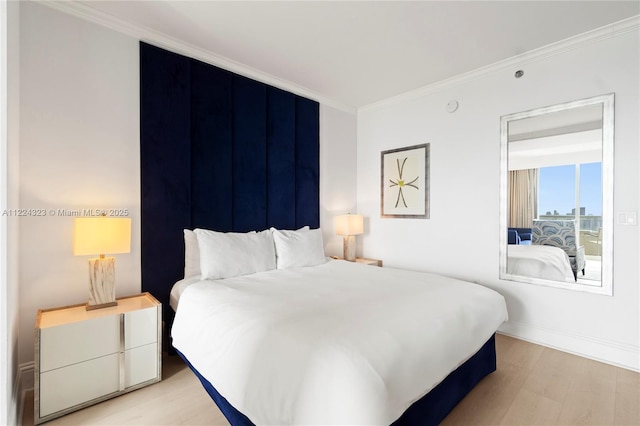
x=538 y=261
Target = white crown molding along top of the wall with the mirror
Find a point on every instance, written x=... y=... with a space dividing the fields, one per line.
x=566 y=45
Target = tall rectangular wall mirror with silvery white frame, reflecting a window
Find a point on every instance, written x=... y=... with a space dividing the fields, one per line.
x=556 y=195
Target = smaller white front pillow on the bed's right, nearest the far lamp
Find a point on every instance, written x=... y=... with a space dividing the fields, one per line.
x=295 y=249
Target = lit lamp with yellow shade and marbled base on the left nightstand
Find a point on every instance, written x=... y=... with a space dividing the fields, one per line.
x=99 y=236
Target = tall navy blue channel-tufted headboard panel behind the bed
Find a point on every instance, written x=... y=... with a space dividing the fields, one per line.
x=218 y=151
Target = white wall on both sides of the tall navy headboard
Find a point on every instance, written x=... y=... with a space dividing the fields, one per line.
x=79 y=148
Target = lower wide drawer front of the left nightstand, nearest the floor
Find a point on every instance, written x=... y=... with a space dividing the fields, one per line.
x=73 y=385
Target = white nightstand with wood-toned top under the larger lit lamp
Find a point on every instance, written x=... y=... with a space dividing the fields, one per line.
x=85 y=357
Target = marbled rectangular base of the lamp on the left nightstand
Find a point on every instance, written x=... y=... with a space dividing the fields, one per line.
x=102 y=288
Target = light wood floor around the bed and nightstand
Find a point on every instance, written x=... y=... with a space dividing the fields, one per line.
x=533 y=385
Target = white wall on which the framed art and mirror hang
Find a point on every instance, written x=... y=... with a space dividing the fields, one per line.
x=461 y=238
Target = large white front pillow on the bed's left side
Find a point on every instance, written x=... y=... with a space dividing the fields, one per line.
x=230 y=254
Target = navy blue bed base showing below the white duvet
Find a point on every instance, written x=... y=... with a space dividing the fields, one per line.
x=431 y=409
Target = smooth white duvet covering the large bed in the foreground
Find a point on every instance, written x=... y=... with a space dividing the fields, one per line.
x=338 y=343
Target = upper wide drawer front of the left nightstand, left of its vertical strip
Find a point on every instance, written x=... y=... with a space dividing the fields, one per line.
x=75 y=342
